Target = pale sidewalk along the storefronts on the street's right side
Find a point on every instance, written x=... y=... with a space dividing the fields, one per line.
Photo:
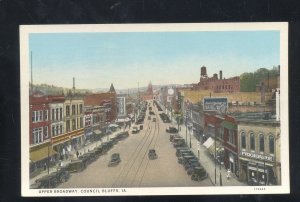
x=207 y=161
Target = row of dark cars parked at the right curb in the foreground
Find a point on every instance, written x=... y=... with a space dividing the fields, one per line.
x=187 y=158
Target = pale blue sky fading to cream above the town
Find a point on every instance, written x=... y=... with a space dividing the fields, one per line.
x=127 y=59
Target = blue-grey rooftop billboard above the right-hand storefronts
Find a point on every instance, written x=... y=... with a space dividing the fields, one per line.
x=215 y=104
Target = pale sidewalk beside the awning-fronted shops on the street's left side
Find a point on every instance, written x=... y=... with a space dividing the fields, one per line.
x=82 y=150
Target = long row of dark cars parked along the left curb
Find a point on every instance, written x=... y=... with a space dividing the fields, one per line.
x=77 y=165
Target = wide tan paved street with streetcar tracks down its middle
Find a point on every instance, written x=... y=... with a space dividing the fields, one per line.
x=135 y=169
